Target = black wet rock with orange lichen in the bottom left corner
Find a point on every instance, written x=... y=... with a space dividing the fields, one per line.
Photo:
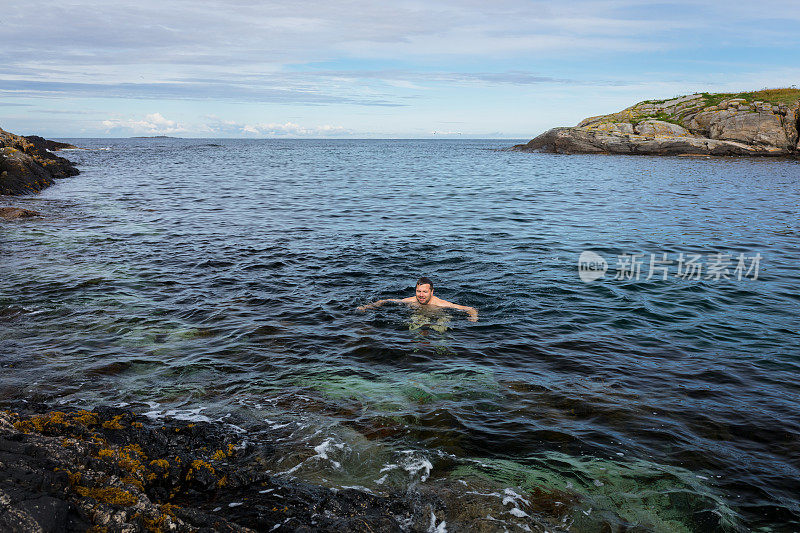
x=110 y=468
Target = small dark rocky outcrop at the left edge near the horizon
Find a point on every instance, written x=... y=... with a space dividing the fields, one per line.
x=28 y=167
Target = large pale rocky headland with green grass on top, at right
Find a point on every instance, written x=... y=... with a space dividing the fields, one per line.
x=750 y=124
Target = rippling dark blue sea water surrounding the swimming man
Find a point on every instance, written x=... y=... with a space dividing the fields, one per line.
x=220 y=279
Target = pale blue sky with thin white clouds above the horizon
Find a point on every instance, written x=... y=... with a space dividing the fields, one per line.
x=373 y=69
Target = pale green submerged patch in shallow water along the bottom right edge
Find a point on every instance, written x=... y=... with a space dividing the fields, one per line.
x=616 y=494
